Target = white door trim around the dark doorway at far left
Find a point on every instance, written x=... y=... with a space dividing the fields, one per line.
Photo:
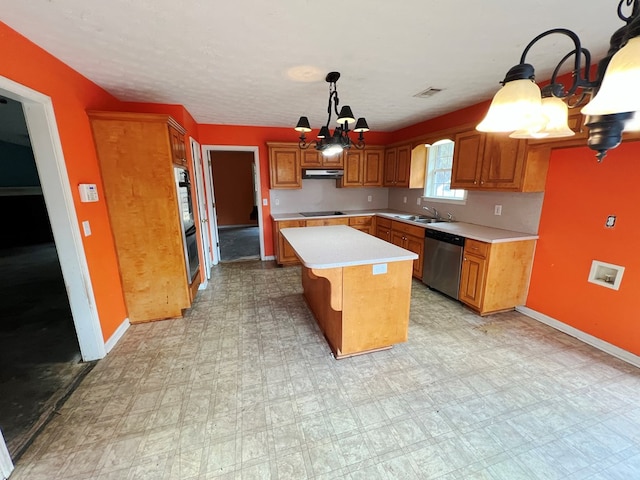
x=56 y=189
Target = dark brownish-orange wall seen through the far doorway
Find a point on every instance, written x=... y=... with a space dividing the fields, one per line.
x=233 y=183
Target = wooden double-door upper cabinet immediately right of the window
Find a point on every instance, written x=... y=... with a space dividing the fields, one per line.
x=496 y=162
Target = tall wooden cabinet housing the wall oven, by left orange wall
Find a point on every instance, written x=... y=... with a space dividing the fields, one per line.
x=137 y=153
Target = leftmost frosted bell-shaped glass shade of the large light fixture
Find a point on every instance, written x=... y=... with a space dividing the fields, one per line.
x=516 y=106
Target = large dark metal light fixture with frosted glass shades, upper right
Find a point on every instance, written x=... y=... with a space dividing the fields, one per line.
x=521 y=108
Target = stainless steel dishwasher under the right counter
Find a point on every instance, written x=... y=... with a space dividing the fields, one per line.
x=442 y=261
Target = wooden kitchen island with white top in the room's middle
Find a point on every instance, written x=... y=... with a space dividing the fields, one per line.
x=357 y=286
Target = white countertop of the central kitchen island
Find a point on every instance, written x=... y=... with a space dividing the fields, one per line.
x=341 y=246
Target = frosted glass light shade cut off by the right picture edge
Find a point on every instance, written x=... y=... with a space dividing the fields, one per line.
x=620 y=90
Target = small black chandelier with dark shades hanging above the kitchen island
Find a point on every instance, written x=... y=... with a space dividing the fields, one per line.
x=328 y=143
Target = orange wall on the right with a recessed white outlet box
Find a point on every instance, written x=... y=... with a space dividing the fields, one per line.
x=579 y=196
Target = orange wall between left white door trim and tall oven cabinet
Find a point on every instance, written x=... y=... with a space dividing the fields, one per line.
x=72 y=94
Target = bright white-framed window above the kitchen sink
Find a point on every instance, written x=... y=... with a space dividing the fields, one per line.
x=438 y=177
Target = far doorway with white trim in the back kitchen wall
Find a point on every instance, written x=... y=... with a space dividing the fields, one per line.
x=236 y=189
